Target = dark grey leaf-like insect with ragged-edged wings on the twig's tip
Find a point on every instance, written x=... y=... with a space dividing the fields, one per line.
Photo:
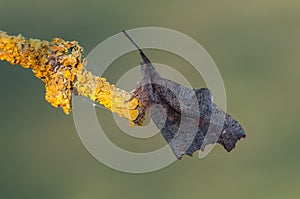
x=187 y=118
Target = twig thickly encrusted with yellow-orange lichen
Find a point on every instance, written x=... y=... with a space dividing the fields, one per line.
x=60 y=65
